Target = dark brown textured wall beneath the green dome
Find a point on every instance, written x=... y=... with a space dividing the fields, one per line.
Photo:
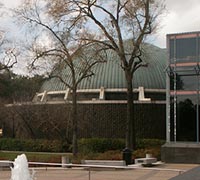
x=53 y=121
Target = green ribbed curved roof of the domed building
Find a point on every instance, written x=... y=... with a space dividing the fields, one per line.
x=111 y=75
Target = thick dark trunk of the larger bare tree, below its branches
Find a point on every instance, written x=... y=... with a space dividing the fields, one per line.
x=130 y=124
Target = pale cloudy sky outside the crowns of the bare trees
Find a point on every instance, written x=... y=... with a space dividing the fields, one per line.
x=180 y=16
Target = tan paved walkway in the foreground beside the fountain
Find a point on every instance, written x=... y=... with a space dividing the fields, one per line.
x=161 y=172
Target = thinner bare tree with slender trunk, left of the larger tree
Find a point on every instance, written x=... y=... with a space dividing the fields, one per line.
x=58 y=41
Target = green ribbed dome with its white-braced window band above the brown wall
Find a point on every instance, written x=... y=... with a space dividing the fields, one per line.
x=108 y=83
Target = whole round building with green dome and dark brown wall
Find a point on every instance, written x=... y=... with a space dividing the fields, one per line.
x=102 y=103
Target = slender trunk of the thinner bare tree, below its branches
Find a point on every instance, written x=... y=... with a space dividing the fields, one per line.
x=74 y=122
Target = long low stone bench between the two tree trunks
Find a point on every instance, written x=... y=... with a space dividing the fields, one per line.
x=104 y=162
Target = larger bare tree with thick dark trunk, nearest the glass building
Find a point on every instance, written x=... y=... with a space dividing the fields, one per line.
x=113 y=22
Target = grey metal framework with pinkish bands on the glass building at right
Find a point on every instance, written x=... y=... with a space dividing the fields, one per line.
x=191 y=68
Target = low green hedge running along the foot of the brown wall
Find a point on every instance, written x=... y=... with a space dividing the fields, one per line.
x=96 y=145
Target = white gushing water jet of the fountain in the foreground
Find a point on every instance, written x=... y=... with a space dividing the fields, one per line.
x=20 y=170
